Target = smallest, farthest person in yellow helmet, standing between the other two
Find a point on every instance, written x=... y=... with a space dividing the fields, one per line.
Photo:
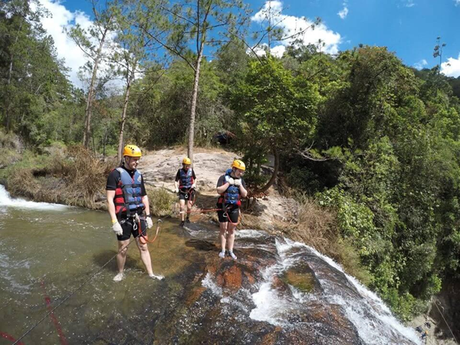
x=185 y=183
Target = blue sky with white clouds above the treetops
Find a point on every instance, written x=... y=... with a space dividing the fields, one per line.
x=408 y=28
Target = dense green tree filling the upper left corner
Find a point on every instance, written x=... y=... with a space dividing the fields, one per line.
x=33 y=86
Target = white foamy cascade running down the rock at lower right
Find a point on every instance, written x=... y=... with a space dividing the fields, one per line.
x=371 y=317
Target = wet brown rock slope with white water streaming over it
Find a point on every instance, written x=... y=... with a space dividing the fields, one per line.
x=254 y=300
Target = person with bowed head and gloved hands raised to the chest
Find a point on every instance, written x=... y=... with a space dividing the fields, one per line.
x=232 y=189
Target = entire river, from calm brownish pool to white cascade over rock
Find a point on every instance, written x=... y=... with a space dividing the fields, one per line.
x=57 y=265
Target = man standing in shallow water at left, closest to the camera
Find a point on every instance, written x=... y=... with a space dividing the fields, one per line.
x=128 y=206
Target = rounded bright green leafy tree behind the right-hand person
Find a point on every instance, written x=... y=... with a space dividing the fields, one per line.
x=276 y=112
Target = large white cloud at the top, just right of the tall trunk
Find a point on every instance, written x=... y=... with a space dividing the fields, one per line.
x=321 y=35
